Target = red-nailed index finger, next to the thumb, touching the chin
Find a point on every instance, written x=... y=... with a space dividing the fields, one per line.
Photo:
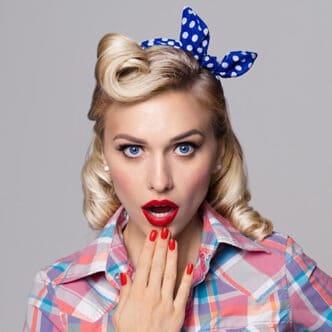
x=145 y=260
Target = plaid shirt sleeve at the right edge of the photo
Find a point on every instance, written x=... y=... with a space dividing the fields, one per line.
x=310 y=291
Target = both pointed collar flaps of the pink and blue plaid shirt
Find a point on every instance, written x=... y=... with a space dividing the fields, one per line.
x=108 y=254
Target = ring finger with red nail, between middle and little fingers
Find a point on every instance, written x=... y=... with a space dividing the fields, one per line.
x=167 y=291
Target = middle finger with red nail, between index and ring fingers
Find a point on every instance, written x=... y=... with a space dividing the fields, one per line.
x=159 y=262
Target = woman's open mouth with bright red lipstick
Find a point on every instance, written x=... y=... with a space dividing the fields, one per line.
x=160 y=213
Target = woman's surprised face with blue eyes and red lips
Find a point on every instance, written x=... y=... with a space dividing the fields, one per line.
x=161 y=154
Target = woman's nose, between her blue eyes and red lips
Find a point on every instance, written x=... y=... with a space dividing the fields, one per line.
x=159 y=175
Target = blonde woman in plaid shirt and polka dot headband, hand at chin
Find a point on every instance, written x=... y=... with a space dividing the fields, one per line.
x=179 y=248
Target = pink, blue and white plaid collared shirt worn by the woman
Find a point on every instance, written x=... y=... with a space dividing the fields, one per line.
x=239 y=284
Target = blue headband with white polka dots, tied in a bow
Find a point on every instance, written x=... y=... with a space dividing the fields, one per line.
x=195 y=37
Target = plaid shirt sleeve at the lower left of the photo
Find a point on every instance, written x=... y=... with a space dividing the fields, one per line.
x=42 y=314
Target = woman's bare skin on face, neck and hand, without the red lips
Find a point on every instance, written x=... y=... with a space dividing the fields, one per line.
x=162 y=148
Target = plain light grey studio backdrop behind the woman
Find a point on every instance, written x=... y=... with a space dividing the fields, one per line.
x=281 y=112
